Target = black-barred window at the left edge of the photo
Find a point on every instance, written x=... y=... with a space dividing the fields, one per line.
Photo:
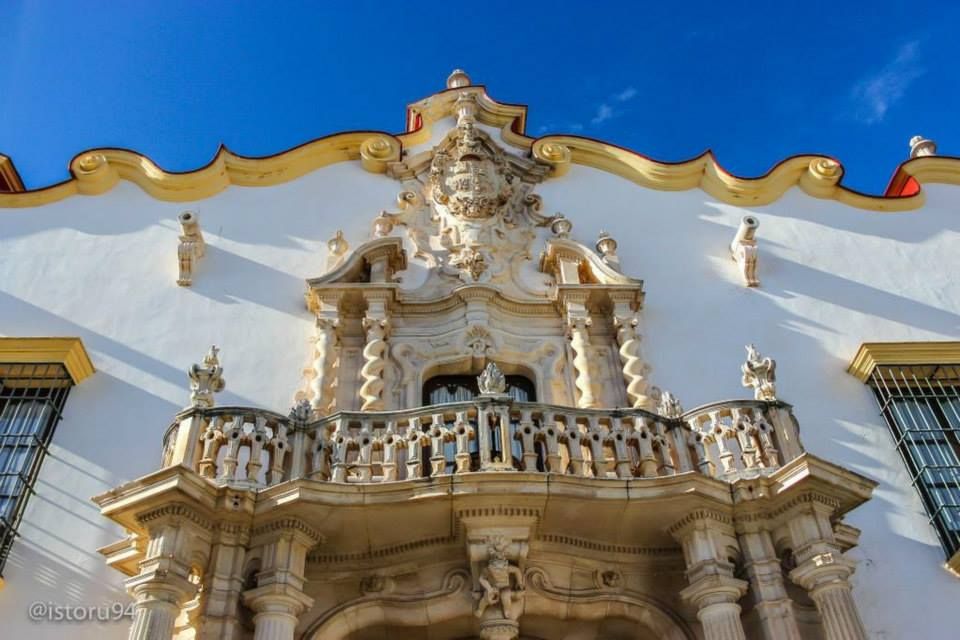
x=32 y=397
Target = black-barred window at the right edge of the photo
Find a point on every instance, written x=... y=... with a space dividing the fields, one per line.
x=921 y=405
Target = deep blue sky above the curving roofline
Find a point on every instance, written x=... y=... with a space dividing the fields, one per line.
x=755 y=82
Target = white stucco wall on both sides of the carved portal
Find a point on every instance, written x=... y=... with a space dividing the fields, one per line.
x=104 y=268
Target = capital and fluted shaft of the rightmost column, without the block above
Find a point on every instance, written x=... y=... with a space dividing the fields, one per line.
x=826 y=577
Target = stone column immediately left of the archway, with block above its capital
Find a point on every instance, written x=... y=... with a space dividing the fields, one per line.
x=278 y=599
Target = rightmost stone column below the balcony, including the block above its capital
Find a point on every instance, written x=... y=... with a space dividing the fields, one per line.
x=821 y=568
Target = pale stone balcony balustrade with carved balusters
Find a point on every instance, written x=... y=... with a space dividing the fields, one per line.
x=725 y=440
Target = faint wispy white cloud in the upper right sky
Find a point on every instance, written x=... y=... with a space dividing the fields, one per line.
x=876 y=93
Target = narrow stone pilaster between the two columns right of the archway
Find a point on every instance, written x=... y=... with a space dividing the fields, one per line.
x=765 y=575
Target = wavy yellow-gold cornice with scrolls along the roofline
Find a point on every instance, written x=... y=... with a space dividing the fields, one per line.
x=98 y=170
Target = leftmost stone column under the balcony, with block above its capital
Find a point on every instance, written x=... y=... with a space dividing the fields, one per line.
x=161 y=589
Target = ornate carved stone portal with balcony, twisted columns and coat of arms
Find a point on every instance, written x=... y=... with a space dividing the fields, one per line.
x=595 y=503
